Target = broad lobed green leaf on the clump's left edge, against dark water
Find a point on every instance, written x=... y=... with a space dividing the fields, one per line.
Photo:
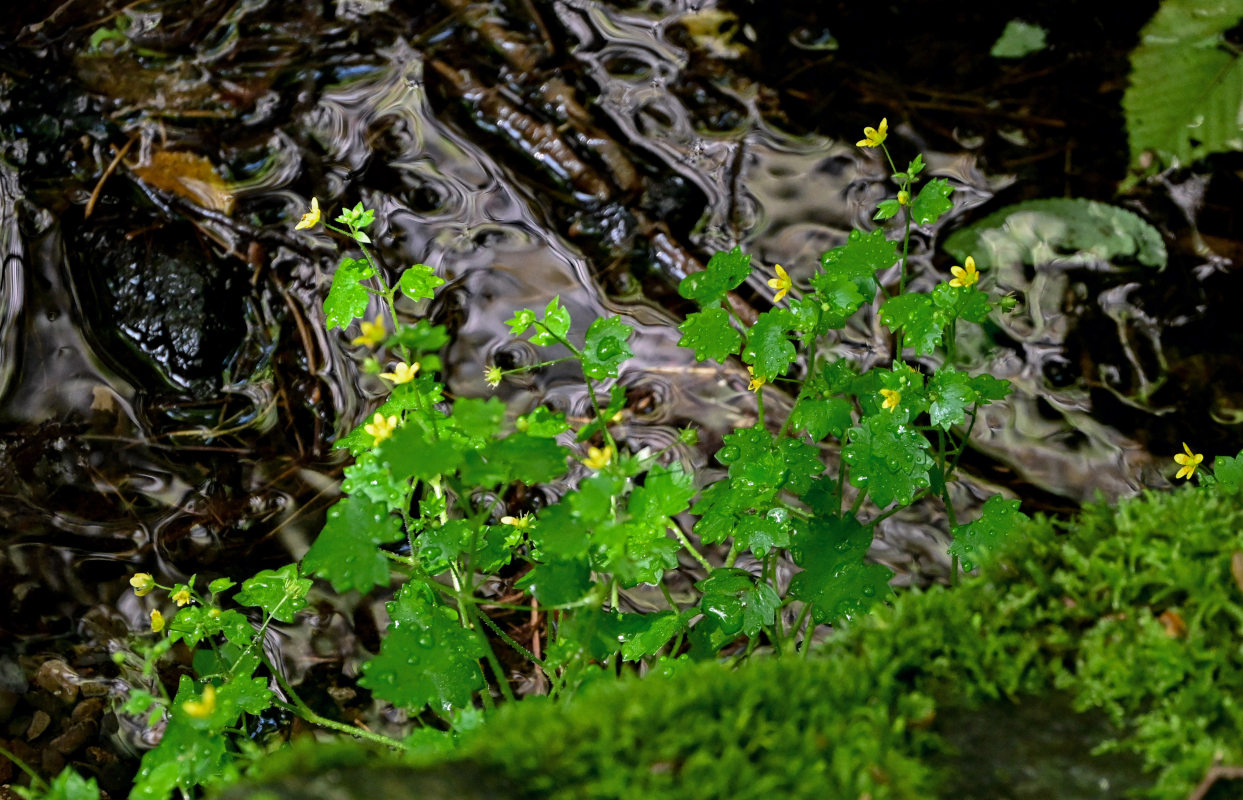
x=346 y=553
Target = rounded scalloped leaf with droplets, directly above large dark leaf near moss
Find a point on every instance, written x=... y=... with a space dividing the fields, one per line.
x=888 y=460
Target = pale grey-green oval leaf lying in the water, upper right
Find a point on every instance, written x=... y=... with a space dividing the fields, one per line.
x=1068 y=232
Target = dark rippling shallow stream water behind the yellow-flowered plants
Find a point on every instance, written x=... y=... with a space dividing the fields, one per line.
x=170 y=397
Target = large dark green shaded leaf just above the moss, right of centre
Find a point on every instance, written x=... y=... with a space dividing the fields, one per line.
x=836 y=578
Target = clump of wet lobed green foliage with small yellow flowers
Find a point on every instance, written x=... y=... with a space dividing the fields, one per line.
x=417 y=509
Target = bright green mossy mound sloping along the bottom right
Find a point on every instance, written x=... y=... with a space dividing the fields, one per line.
x=1066 y=613
